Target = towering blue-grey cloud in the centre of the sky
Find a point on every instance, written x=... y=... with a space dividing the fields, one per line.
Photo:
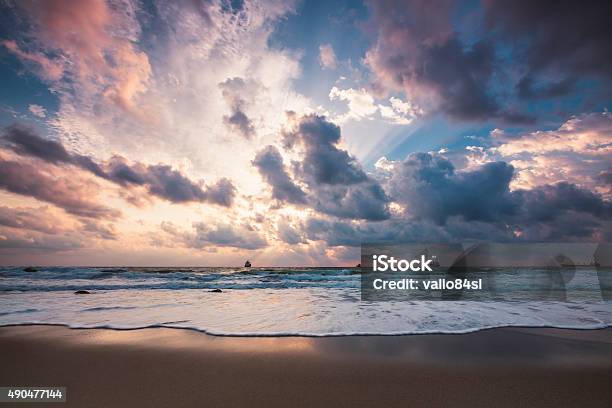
x=337 y=185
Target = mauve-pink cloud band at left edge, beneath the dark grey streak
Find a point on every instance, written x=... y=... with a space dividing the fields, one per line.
x=72 y=196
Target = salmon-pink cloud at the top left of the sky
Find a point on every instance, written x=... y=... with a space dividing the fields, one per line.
x=94 y=45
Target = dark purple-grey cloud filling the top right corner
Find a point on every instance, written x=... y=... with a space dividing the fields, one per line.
x=566 y=39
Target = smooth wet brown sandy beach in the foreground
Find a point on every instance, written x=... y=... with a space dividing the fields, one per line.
x=161 y=367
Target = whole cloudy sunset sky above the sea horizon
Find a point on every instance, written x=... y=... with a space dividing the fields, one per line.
x=207 y=132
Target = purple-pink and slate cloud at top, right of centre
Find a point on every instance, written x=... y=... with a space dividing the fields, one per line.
x=418 y=52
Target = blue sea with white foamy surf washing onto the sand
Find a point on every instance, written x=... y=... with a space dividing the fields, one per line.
x=268 y=302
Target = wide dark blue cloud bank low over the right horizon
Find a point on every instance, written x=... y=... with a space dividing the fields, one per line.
x=443 y=204
